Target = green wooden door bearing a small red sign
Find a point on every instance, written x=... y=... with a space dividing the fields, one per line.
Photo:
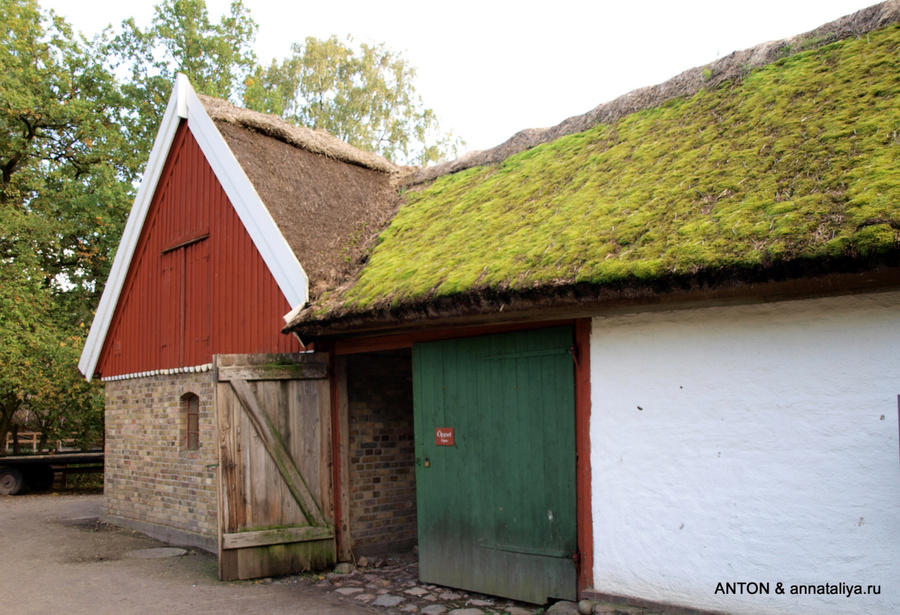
x=496 y=509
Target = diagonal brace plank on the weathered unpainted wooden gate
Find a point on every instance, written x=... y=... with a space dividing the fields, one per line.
x=289 y=472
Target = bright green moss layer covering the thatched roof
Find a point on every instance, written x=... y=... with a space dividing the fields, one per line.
x=801 y=160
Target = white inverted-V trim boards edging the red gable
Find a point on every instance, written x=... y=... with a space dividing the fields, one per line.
x=265 y=234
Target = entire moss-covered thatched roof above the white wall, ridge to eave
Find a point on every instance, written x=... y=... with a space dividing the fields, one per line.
x=720 y=178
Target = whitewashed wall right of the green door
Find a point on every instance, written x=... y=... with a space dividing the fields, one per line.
x=756 y=444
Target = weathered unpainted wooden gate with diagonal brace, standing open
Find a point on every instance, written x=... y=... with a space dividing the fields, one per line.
x=274 y=464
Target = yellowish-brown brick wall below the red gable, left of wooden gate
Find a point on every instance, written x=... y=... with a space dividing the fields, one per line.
x=152 y=482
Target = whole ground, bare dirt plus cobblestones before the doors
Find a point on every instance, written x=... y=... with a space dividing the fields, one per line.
x=56 y=557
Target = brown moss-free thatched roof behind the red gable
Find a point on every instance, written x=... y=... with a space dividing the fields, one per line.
x=328 y=198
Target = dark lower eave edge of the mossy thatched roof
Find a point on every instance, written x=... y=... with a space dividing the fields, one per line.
x=826 y=277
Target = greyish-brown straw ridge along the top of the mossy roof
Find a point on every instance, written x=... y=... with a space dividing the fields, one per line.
x=730 y=68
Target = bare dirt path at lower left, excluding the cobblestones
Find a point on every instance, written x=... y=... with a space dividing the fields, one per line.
x=56 y=558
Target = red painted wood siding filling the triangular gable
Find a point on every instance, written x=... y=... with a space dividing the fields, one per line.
x=197 y=285
